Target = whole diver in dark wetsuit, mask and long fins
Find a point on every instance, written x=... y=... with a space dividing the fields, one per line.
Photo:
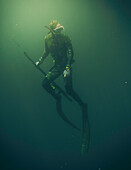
x=59 y=46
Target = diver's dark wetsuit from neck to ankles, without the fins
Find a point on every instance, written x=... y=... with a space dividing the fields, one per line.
x=60 y=48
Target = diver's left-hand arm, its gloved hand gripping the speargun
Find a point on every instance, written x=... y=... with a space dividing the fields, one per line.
x=45 y=54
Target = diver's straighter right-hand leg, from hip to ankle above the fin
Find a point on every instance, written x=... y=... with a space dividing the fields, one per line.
x=70 y=90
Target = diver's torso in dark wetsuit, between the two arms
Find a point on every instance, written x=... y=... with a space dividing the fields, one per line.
x=58 y=45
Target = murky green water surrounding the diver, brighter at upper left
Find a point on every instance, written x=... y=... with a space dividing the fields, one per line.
x=32 y=135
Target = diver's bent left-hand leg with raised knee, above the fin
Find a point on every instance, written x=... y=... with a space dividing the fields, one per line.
x=47 y=82
